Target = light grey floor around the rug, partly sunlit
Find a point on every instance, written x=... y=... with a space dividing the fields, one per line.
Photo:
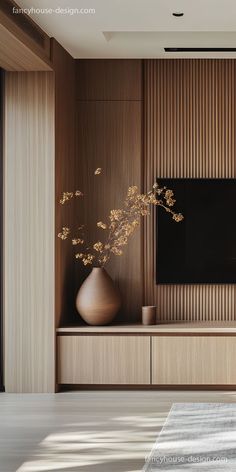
x=86 y=431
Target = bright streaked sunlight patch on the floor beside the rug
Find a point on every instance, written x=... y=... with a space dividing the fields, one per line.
x=77 y=449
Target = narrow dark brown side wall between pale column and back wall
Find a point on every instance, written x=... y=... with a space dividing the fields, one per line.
x=66 y=180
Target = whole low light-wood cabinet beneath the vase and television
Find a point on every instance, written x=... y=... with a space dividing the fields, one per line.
x=183 y=354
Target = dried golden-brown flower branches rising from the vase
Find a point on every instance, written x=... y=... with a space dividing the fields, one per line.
x=122 y=222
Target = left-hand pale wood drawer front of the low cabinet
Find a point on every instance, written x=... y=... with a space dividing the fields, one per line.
x=103 y=360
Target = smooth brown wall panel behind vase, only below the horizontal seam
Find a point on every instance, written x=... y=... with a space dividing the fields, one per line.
x=108 y=135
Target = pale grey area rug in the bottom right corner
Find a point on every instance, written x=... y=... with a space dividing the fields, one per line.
x=196 y=436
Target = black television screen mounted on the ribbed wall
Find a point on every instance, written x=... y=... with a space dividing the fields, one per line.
x=202 y=248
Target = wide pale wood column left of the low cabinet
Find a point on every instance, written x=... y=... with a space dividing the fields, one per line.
x=29 y=176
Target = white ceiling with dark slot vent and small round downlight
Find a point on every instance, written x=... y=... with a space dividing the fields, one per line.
x=138 y=28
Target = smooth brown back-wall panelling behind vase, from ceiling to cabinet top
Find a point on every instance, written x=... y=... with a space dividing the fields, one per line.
x=109 y=135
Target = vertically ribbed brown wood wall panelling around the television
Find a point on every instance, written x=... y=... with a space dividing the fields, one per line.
x=189 y=131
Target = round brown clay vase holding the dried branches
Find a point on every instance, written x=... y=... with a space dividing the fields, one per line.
x=98 y=300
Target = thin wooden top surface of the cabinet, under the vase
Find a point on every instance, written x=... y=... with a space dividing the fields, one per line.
x=178 y=327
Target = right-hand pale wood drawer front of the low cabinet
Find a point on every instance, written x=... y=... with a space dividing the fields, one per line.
x=191 y=360
